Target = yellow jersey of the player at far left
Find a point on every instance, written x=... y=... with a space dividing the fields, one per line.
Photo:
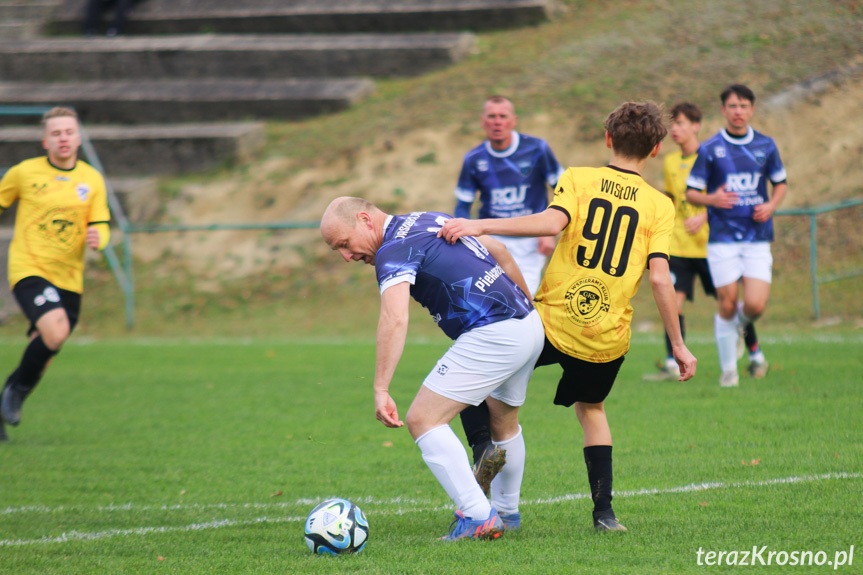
x=55 y=207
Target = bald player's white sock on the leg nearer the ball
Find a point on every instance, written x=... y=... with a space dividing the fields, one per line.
x=447 y=459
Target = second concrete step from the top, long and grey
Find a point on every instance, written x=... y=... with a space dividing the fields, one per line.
x=231 y=56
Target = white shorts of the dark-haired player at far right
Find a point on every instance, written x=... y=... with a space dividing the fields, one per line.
x=732 y=261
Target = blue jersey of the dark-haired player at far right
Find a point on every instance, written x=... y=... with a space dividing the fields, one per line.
x=744 y=165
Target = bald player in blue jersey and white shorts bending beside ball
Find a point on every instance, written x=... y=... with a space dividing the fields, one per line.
x=476 y=295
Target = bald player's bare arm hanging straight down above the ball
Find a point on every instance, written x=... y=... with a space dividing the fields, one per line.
x=392 y=331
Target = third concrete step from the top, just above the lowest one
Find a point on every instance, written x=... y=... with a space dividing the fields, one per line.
x=168 y=101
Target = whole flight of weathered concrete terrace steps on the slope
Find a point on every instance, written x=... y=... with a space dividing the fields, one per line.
x=154 y=93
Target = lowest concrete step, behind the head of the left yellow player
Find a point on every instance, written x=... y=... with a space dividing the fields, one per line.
x=149 y=149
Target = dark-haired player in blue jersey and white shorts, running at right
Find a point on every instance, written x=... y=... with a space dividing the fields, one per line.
x=734 y=168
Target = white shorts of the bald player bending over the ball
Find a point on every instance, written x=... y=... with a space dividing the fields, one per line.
x=494 y=360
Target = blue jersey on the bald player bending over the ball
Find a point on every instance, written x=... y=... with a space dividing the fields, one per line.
x=461 y=285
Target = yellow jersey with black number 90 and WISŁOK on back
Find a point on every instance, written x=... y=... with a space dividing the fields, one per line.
x=617 y=223
